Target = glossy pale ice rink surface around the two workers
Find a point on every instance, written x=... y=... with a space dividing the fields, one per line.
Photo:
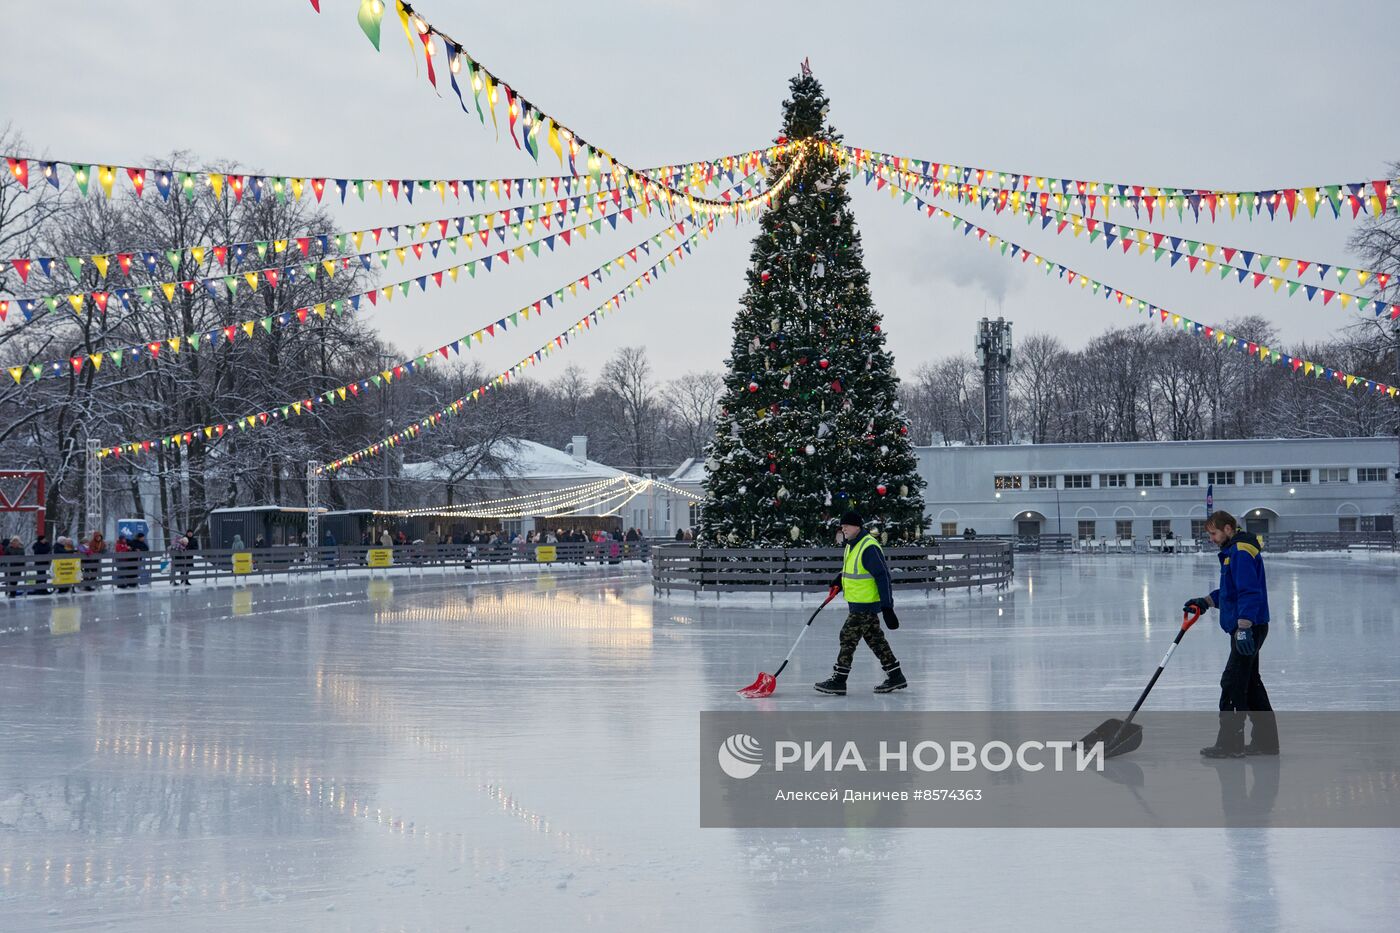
x=516 y=754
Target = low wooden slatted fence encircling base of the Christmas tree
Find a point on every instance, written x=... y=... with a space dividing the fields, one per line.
x=947 y=567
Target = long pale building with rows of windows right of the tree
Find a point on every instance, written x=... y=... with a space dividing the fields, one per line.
x=1143 y=491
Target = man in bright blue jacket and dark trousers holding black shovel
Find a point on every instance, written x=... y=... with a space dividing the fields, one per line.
x=1244 y=603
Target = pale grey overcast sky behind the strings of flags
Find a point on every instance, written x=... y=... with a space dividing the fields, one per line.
x=1247 y=96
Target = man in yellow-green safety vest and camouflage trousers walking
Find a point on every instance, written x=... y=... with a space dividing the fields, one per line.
x=864 y=582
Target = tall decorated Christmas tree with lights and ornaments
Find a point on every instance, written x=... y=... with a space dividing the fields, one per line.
x=810 y=425
